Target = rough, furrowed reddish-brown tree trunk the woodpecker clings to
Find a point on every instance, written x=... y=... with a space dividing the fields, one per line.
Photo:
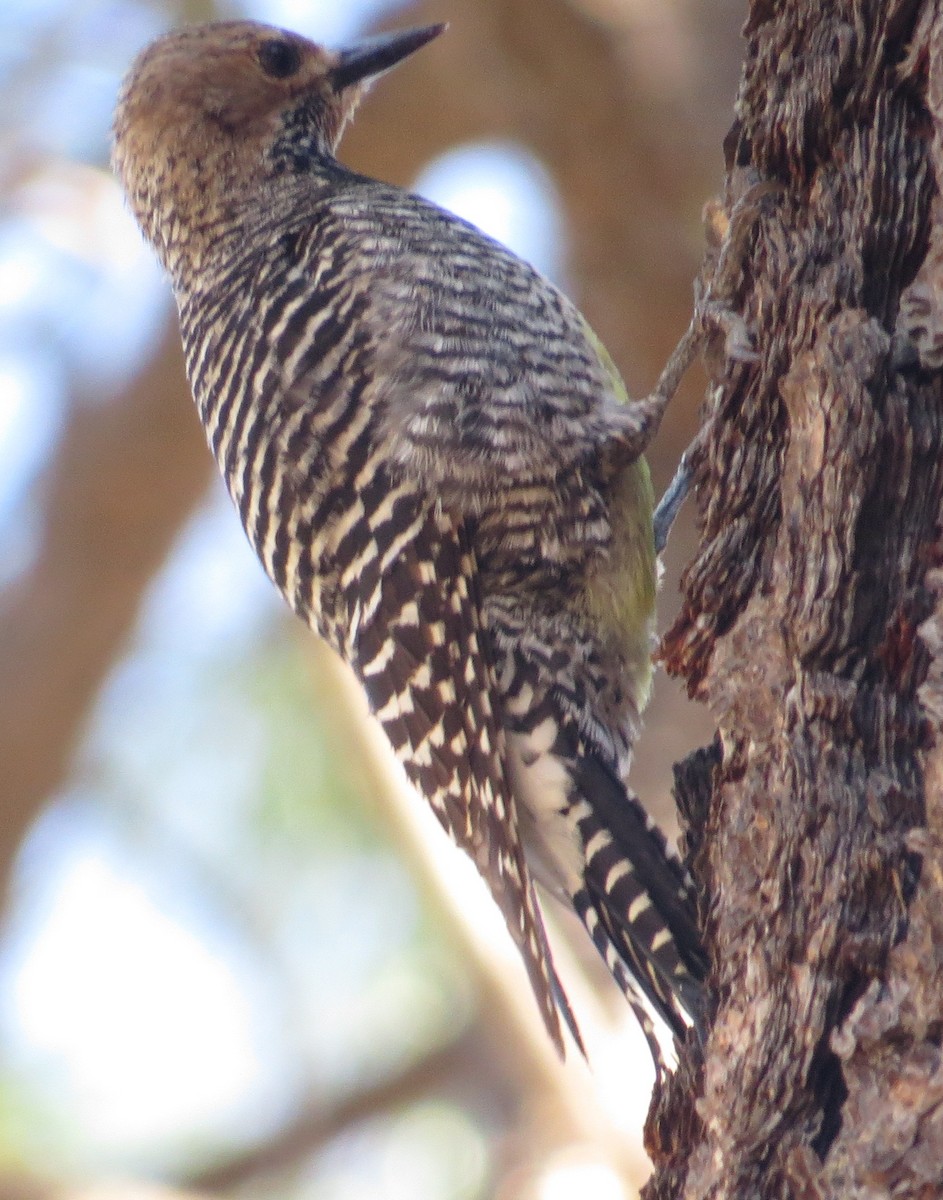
x=813 y=623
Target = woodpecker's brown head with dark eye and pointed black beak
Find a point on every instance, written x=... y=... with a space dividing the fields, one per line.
x=208 y=110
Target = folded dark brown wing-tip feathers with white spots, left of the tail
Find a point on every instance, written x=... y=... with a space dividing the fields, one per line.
x=424 y=665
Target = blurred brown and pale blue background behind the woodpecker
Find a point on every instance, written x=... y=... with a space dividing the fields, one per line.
x=235 y=957
